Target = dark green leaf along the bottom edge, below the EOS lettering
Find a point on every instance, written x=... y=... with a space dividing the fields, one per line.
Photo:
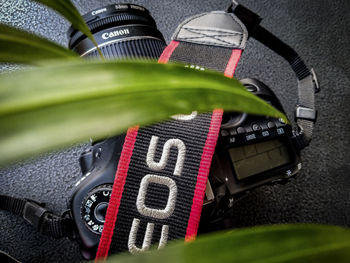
x=269 y=244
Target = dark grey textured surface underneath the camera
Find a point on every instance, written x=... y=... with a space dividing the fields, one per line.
x=319 y=30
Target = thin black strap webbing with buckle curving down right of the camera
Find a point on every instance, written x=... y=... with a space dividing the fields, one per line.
x=305 y=112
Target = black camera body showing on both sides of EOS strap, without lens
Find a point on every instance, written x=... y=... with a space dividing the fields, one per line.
x=265 y=136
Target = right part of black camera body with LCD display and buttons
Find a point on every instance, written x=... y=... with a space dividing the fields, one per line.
x=251 y=151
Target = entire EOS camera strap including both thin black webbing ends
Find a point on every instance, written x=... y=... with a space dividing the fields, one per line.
x=161 y=177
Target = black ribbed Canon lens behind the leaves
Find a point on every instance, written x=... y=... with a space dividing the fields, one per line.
x=120 y=30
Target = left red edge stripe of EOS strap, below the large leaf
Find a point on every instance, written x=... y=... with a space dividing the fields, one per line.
x=117 y=191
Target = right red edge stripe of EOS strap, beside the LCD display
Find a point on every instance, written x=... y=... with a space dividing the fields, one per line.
x=204 y=167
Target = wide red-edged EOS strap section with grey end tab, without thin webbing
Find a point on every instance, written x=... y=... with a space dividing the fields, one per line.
x=162 y=173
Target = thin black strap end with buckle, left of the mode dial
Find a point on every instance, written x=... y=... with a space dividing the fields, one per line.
x=35 y=214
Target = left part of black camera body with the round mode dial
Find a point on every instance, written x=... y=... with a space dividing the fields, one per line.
x=98 y=165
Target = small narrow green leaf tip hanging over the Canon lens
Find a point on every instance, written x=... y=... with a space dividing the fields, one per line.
x=68 y=10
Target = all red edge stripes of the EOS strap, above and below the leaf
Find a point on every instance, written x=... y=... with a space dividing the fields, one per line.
x=123 y=166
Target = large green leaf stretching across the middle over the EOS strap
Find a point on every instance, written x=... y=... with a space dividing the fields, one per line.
x=44 y=108
